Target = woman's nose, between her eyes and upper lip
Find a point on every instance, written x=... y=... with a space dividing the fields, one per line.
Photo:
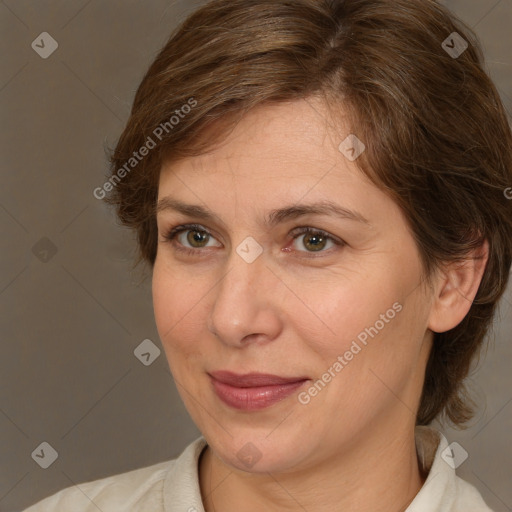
x=245 y=308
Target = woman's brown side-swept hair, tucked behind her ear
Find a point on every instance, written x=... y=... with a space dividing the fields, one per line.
x=437 y=136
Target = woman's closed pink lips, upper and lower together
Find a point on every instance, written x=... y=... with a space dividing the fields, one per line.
x=253 y=391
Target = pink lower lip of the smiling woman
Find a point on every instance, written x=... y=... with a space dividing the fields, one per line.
x=252 y=399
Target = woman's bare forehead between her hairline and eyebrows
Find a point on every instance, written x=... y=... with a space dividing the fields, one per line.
x=276 y=157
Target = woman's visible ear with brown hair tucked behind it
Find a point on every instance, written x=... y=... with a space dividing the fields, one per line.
x=456 y=289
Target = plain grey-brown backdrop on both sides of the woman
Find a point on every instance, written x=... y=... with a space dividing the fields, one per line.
x=71 y=319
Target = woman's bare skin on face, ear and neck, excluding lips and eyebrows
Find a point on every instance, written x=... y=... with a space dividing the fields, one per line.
x=292 y=312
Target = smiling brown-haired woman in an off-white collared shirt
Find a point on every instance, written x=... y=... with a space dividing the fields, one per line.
x=320 y=188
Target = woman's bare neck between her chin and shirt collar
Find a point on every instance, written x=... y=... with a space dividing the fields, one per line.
x=382 y=474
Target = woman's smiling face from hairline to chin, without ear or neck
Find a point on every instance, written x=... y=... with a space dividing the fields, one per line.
x=340 y=312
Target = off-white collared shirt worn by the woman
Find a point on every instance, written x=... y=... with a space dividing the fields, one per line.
x=173 y=486
